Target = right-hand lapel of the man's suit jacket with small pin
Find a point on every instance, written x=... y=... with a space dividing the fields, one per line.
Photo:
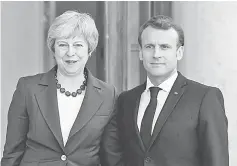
x=171 y=101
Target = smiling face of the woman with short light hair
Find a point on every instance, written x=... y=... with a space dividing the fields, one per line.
x=71 y=55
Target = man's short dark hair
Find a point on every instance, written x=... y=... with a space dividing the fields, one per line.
x=164 y=23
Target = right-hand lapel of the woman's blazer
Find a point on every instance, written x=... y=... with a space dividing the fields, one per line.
x=90 y=105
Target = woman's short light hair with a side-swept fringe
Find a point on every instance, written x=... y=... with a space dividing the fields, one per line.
x=73 y=23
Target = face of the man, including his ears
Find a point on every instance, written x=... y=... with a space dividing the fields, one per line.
x=159 y=52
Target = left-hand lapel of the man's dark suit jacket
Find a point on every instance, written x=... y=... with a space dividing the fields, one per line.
x=135 y=107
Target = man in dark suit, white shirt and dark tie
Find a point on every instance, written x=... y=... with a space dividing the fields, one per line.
x=170 y=120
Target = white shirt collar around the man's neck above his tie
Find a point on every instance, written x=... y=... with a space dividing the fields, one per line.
x=166 y=85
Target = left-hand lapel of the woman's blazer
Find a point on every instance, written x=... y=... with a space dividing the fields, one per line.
x=48 y=105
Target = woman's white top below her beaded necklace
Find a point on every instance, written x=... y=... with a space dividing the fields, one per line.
x=68 y=109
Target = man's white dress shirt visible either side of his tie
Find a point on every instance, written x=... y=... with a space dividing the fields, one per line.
x=161 y=98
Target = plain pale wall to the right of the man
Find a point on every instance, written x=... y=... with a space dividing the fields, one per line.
x=210 y=52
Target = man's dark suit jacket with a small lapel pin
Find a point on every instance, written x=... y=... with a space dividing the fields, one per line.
x=191 y=129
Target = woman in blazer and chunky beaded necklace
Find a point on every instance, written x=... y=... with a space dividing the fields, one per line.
x=65 y=116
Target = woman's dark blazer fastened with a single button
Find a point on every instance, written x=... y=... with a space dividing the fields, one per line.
x=34 y=135
